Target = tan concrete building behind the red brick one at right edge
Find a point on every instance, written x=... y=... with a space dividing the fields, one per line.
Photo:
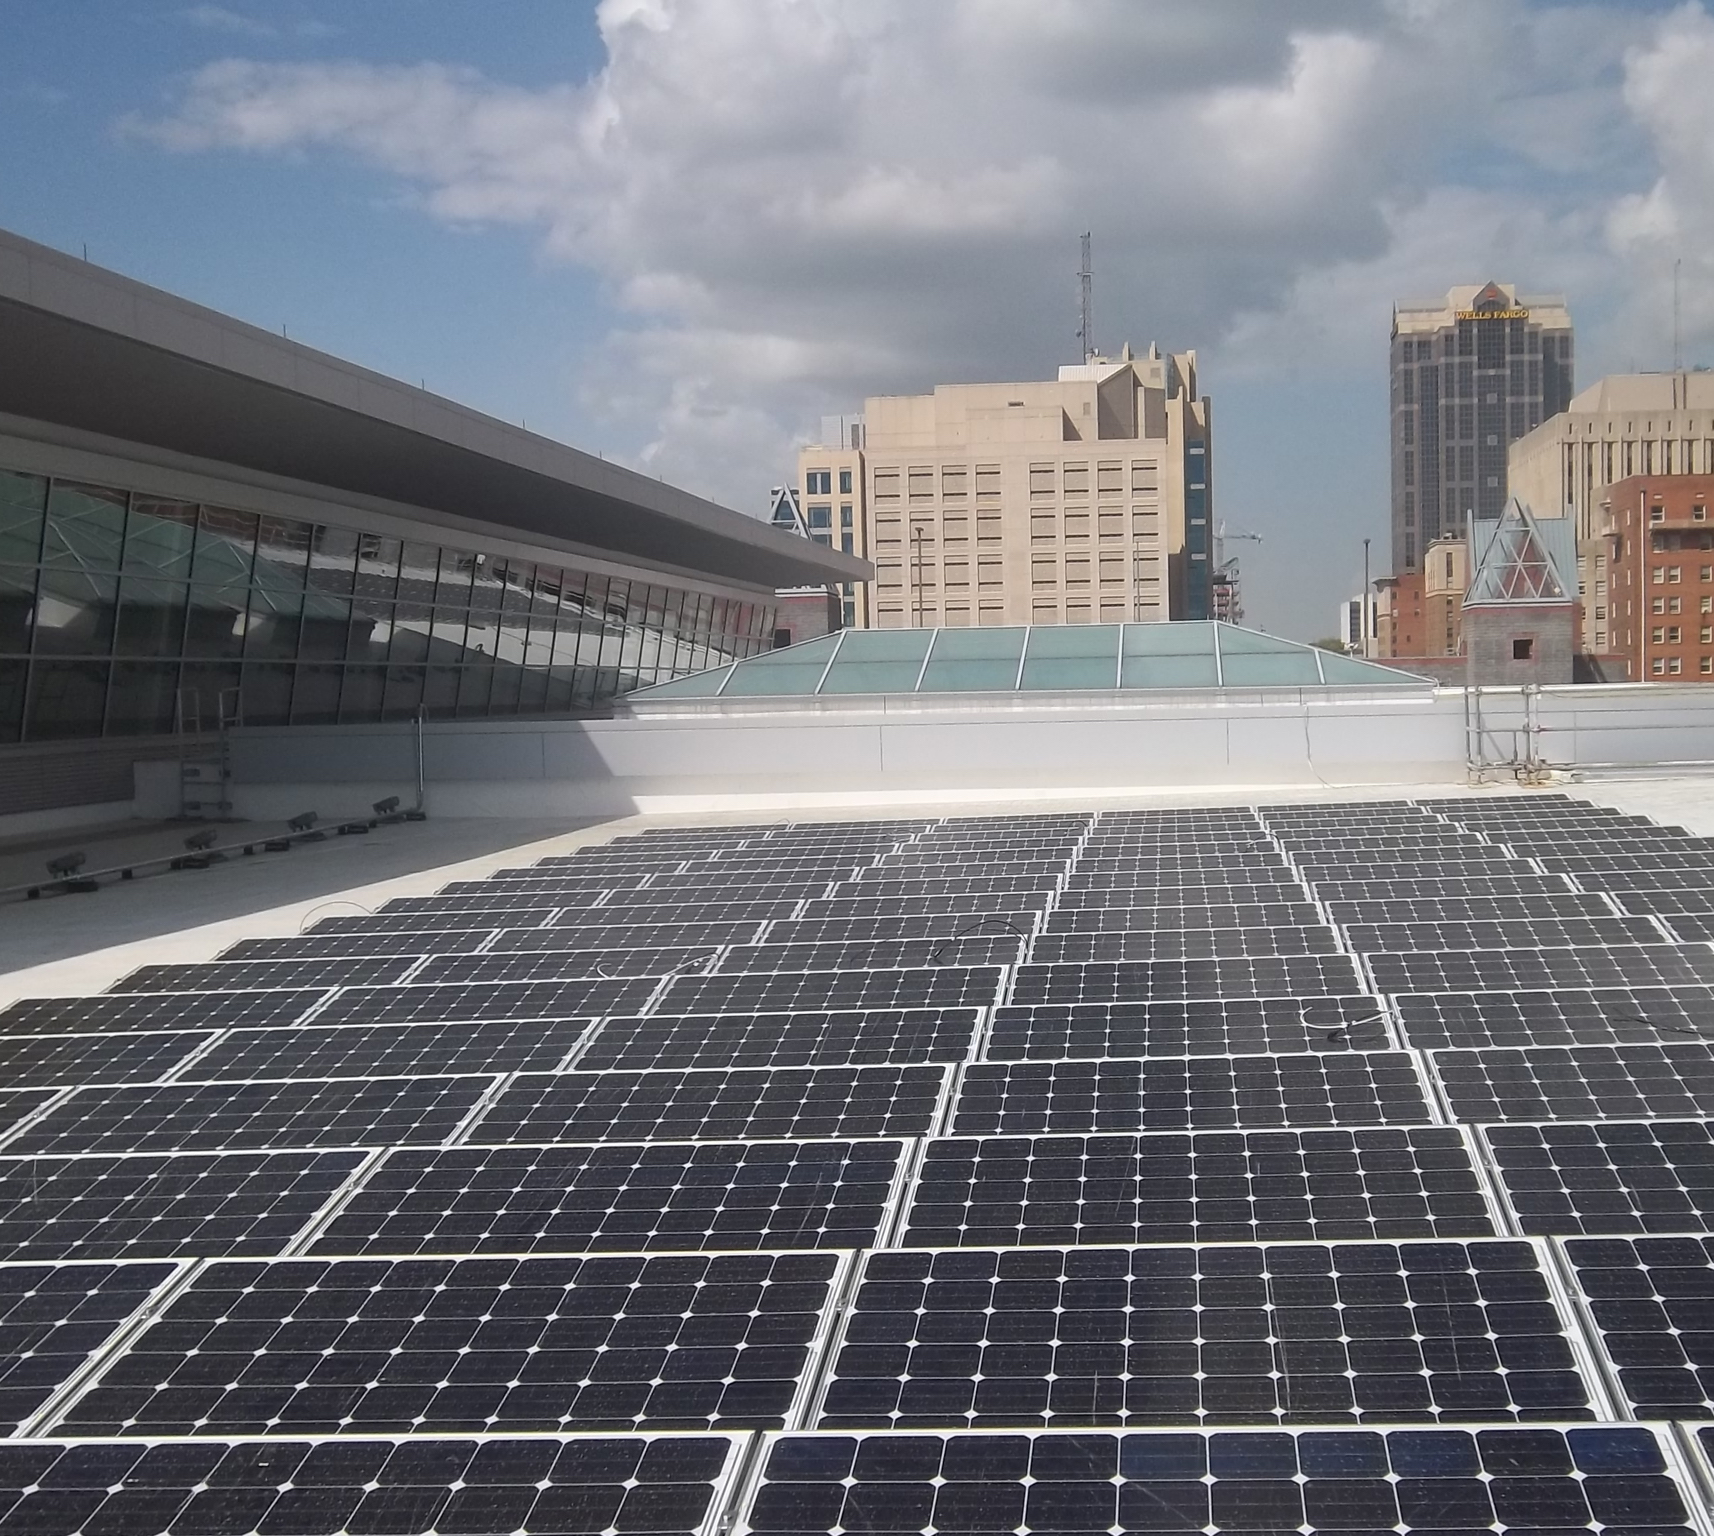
x=1622 y=426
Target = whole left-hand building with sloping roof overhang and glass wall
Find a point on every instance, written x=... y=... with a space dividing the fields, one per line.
x=207 y=522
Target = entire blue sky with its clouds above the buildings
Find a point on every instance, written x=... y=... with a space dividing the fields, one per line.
x=681 y=231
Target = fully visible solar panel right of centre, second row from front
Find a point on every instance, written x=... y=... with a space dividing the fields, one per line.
x=1317 y=1335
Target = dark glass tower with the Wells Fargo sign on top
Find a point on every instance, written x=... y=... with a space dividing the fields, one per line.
x=1470 y=375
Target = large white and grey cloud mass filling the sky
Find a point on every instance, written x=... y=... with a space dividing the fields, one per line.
x=803 y=201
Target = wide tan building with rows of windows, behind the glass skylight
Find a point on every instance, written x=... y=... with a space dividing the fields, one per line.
x=1069 y=501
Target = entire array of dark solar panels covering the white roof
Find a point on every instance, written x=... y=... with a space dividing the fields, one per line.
x=1233 y=1170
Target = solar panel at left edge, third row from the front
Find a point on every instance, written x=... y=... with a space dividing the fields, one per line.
x=177 y=1206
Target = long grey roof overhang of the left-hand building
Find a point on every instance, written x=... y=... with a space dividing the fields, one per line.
x=95 y=352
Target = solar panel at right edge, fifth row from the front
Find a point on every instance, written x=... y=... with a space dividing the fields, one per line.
x=1614 y=1016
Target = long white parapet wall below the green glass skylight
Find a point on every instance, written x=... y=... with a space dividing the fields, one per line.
x=904 y=750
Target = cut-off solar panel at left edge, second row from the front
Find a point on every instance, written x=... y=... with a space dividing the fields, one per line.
x=54 y=1317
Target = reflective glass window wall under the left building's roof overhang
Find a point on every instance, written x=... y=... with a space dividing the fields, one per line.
x=123 y=615
